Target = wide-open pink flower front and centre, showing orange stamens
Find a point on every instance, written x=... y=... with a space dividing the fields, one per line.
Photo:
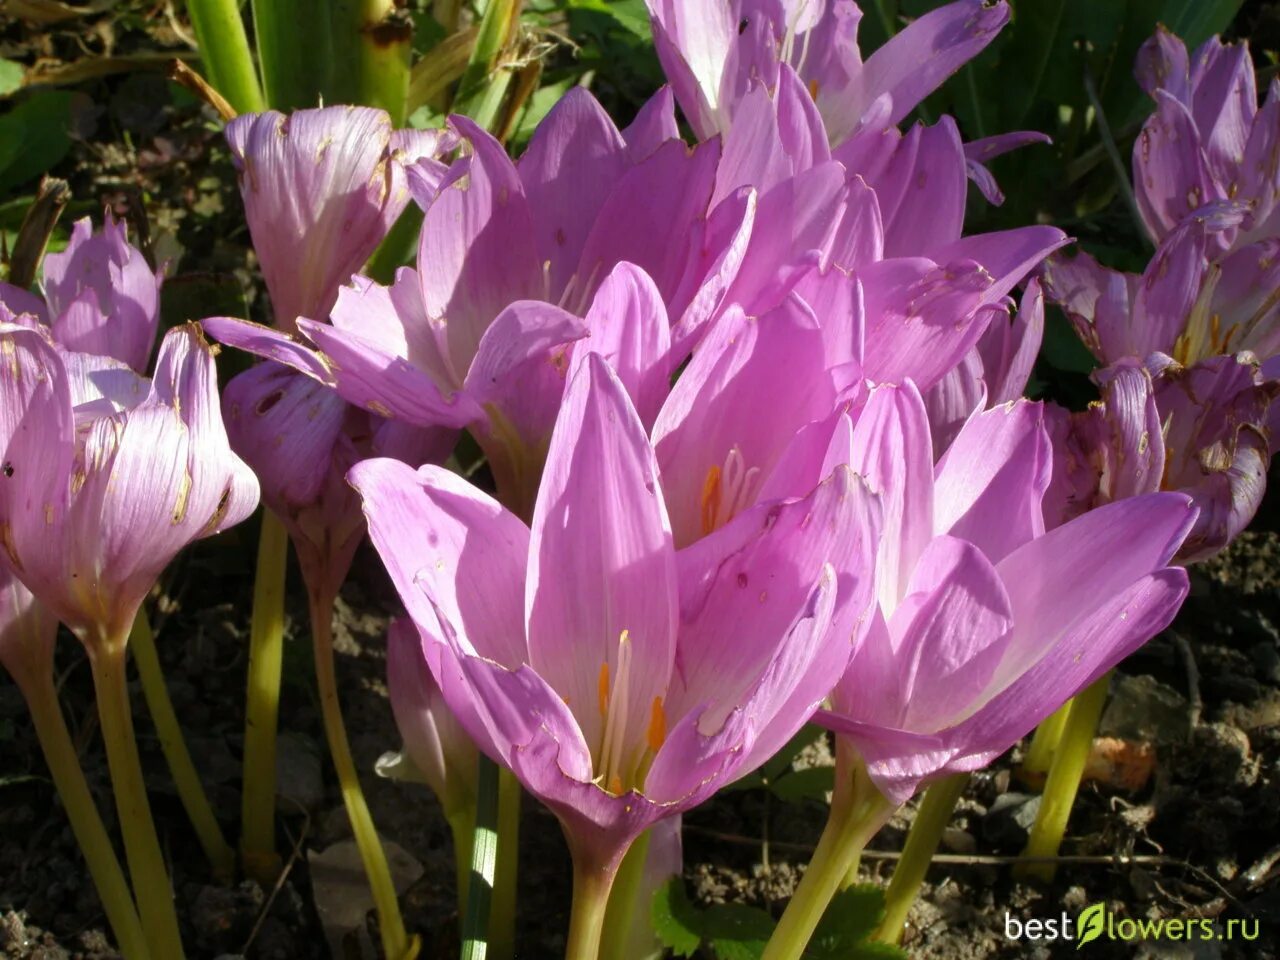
x=620 y=680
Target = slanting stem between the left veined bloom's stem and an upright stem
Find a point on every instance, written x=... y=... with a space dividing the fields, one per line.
x=191 y=792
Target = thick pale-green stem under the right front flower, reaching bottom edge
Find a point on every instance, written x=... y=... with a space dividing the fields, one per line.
x=858 y=811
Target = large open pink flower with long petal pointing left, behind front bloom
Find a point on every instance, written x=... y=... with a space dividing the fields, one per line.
x=515 y=264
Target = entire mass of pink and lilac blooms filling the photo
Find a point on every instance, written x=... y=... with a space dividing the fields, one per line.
x=752 y=410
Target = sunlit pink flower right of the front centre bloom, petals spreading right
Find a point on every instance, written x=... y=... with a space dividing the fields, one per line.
x=986 y=624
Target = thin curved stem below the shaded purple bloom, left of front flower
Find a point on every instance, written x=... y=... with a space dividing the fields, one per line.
x=397 y=945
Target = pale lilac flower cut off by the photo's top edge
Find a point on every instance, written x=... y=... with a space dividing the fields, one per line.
x=711 y=52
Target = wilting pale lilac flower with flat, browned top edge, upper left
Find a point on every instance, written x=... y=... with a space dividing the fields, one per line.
x=322 y=189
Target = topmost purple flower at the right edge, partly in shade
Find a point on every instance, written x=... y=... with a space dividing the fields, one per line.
x=1208 y=141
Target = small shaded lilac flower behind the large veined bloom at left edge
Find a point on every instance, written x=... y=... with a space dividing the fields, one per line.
x=100 y=296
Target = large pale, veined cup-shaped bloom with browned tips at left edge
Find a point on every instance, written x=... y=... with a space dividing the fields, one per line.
x=102 y=484
